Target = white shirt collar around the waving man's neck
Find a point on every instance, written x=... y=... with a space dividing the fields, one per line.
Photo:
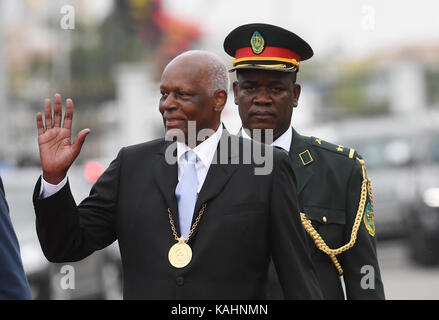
x=205 y=150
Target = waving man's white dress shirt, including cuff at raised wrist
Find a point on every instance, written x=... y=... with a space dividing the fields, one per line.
x=204 y=151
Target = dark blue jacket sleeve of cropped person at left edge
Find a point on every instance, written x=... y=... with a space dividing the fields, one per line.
x=13 y=282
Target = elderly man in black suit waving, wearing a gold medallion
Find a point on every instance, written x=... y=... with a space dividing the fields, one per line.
x=193 y=221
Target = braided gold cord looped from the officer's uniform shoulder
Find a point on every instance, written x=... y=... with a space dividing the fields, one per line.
x=318 y=240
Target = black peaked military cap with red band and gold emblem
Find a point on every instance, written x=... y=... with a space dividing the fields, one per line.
x=265 y=46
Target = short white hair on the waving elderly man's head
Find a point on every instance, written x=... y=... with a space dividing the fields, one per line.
x=218 y=78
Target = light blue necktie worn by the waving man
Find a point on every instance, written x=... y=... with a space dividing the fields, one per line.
x=186 y=193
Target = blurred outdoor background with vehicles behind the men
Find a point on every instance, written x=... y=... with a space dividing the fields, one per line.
x=373 y=85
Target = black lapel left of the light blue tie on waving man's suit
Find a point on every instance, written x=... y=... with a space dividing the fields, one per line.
x=166 y=178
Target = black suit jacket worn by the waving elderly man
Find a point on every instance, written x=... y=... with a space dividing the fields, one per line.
x=247 y=219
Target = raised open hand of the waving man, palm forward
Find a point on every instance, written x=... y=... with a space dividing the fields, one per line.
x=57 y=152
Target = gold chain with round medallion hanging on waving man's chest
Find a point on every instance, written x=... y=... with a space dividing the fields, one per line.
x=180 y=253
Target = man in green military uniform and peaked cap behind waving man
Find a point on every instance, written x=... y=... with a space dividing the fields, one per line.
x=334 y=192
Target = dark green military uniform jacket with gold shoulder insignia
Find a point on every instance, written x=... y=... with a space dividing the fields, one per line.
x=329 y=182
